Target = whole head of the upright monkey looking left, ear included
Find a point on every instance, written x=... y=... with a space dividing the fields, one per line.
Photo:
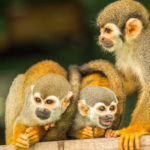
x=121 y=22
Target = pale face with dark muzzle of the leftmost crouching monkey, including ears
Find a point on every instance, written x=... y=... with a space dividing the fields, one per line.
x=49 y=109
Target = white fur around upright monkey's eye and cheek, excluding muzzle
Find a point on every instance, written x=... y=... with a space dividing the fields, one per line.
x=114 y=36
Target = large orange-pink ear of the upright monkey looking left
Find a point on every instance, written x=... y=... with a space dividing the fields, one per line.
x=133 y=27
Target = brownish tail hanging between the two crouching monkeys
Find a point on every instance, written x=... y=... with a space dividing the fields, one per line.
x=63 y=125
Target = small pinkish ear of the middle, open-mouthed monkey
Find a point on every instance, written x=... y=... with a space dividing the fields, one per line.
x=83 y=108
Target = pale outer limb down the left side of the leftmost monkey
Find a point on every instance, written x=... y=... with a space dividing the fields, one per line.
x=14 y=103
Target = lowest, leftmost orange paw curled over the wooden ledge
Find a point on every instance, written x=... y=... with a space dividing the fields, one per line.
x=22 y=142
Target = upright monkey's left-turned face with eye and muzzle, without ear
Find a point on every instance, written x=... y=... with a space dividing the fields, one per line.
x=110 y=37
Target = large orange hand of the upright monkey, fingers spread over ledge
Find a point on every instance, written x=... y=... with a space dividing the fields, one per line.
x=130 y=137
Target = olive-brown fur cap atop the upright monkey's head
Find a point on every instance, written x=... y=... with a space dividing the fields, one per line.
x=120 y=11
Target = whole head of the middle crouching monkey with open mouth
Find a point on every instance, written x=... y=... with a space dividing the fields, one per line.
x=99 y=105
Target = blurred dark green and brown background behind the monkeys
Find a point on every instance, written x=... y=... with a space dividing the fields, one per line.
x=61 y=30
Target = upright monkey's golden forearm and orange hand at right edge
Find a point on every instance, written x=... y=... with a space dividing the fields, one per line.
x=140 y=122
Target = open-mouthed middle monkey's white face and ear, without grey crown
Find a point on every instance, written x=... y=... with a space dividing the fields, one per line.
x=100 y=115
